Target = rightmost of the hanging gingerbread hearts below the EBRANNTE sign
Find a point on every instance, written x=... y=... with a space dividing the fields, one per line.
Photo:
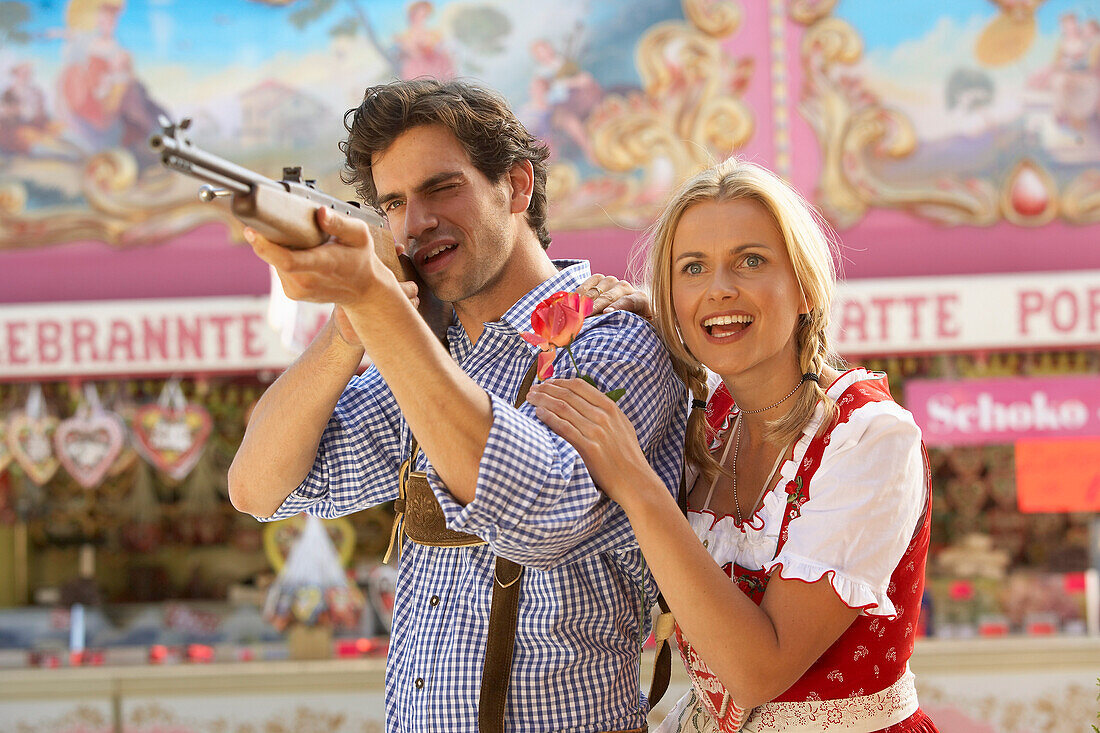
x=172 y=440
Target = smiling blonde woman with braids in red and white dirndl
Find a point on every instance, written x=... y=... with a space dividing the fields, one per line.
x=796 y=578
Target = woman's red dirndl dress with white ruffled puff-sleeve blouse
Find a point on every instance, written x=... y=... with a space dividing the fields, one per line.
x=863 y=682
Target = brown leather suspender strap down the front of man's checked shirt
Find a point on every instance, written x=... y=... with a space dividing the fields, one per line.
x=503 y=617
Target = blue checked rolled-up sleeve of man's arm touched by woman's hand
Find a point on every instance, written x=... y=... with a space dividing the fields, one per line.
x=535 y=501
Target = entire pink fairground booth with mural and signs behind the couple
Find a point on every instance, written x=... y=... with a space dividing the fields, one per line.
x=136 y=327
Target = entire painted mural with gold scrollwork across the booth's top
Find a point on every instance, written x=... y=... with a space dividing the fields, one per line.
x=965 y=113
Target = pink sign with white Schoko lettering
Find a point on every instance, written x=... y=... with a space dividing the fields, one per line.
x=1004 y=411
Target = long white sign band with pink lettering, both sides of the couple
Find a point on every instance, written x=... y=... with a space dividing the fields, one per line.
x=871 y=318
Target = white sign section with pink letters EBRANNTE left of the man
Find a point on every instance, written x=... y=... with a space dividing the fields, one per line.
x=139 y=338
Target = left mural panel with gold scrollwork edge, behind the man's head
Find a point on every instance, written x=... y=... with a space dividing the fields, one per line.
x=267 y=84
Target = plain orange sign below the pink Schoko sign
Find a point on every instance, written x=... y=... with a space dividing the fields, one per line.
x=1059 y=476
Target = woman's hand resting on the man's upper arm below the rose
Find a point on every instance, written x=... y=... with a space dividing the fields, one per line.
x=598 y=430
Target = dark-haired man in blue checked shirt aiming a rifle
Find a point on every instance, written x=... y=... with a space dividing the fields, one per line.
x=463 y=185
